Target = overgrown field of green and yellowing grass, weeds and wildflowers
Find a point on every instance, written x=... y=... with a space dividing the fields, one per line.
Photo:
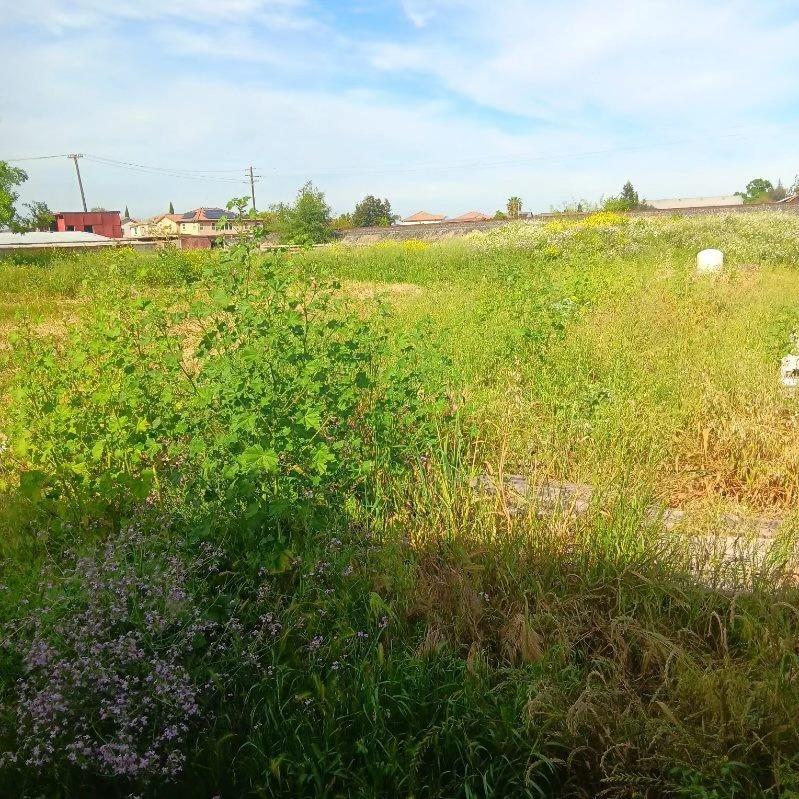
x=241 y=555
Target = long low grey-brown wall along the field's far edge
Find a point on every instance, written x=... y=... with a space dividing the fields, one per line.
x=450 y=230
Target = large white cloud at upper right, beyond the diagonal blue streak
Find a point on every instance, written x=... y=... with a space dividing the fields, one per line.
x=645 y=59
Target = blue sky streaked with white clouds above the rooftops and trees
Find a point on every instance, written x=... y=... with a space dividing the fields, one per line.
x=447 y=105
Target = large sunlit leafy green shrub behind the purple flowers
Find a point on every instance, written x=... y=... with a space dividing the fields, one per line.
x=257 y=390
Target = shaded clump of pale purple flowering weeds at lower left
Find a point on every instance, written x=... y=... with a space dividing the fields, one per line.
x=110 y=680
